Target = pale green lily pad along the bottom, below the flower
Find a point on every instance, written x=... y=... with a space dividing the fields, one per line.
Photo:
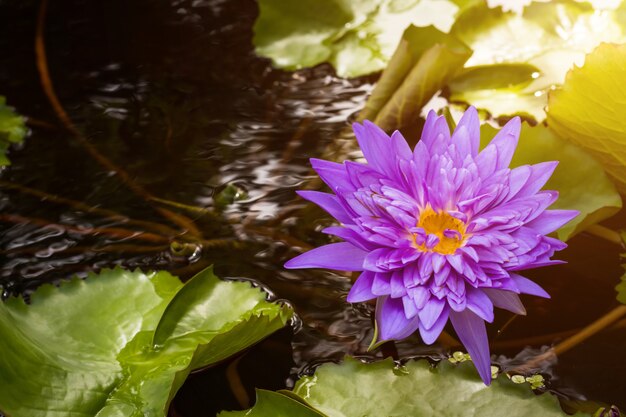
x=355 y=389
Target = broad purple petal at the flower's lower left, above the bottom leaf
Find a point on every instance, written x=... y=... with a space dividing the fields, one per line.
x=391 y=320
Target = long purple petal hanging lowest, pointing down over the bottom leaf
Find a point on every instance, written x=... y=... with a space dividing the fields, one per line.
x=471 y=331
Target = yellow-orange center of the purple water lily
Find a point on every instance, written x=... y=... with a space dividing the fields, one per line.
x=436 y=223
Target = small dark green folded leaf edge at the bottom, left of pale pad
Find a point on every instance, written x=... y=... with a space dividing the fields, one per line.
x=274 y=404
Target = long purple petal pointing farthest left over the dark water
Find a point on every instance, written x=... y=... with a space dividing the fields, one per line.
x=340 y=256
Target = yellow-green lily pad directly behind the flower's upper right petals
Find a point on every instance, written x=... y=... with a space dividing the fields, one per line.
x=580 y=180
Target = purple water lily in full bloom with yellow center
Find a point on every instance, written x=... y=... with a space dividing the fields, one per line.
x=441 y=232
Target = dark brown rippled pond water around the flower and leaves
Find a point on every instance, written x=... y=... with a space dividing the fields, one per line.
x=173 y=94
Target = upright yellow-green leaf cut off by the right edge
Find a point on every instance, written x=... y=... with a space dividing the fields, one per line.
x=588 y=109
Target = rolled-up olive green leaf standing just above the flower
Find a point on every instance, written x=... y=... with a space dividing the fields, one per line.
x=425 y=60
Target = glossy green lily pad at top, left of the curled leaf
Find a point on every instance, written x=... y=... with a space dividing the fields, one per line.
x=356 y=37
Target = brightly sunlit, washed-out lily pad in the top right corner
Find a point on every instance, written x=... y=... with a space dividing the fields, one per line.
x=556 y=35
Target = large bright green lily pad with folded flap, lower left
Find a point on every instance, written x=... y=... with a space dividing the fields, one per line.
x=86 y=348
